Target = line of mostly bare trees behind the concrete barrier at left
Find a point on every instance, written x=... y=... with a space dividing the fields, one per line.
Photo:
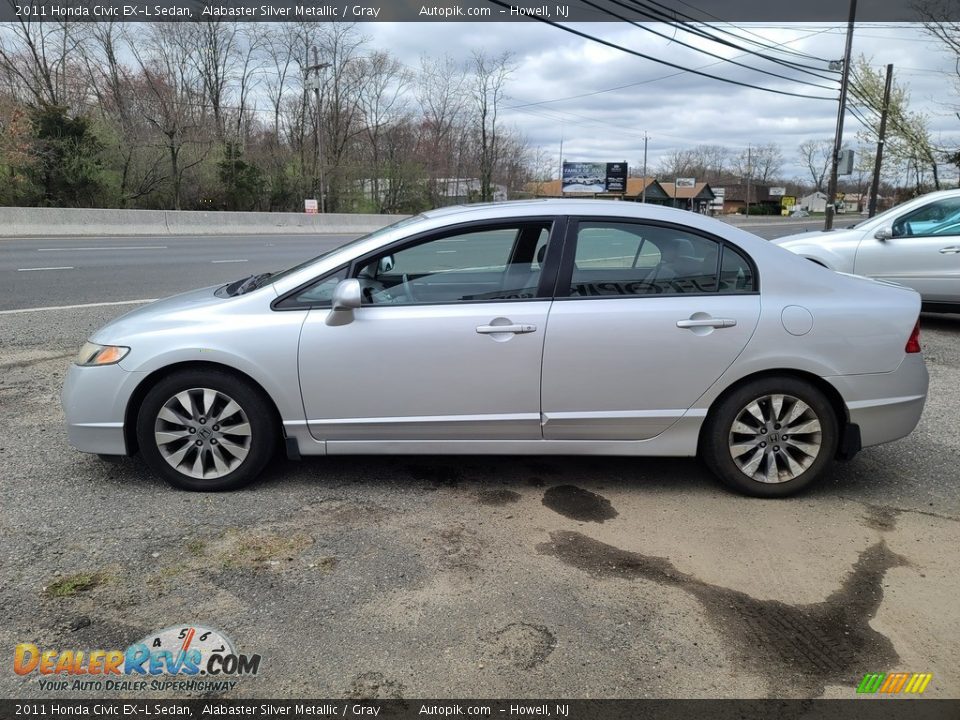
x=245 y=116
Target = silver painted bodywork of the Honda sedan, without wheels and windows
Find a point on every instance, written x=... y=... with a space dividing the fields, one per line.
x=619 y=377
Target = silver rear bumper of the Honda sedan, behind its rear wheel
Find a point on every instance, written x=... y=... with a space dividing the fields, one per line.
x=885 y=406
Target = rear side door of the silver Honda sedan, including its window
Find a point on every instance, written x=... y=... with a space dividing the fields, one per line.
x=647 y=316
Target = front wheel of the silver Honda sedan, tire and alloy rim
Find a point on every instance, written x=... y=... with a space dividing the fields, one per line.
x=206 y=430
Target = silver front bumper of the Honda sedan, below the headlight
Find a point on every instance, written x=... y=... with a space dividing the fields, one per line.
x=94 y=403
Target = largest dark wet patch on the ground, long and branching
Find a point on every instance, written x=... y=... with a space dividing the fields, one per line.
x=802 y=647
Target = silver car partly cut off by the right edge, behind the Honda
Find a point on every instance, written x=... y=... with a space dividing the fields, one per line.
x=916 y=244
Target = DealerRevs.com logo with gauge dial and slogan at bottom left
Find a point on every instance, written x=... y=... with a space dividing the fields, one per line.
x=180 y=657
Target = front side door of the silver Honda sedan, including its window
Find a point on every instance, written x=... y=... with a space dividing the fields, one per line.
x=447 y=344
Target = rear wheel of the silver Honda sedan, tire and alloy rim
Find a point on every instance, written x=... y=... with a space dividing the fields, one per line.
x=745 y=445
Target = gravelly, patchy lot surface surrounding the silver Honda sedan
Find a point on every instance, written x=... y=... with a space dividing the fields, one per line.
x=485 y=577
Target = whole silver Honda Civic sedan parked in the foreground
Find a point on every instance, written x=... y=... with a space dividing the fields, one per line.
x=553 y=327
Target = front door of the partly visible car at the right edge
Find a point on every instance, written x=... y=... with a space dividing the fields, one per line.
x=923 y=251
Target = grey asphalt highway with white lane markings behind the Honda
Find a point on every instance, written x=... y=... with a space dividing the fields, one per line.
x=45 y=272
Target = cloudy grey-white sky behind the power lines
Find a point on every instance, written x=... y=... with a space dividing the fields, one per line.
x=600 y=100
